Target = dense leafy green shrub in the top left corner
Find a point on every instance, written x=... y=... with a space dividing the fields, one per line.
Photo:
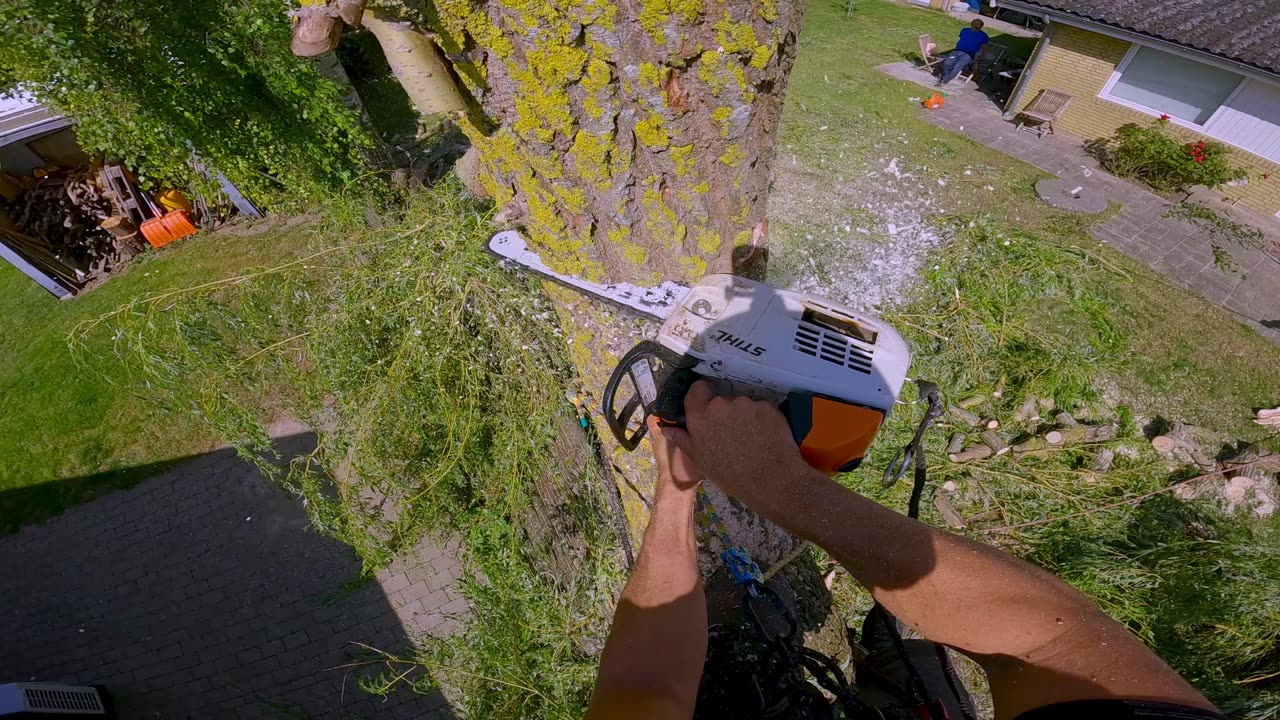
x=149 y=83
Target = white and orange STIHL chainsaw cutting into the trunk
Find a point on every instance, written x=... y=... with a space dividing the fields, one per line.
x=834 y=373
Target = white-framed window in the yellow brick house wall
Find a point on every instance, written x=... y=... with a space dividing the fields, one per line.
x=1167 y=84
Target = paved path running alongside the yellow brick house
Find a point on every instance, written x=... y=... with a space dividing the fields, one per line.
x=1180 y=250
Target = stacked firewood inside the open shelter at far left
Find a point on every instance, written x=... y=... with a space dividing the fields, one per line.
x=67 y=225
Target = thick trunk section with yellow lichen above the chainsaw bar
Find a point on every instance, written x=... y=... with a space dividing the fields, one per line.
x=630 y=142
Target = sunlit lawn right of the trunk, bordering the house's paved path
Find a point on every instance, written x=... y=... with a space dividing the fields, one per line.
x=843 y=115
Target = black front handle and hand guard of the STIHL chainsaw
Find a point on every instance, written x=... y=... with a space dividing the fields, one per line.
x=661 y=379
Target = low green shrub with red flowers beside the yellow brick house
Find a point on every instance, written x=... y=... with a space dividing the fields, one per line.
x=1168 y=163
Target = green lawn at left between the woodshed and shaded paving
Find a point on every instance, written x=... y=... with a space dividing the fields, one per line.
x=74 y=429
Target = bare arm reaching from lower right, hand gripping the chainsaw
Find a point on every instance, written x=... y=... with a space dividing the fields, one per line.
x=1040 y=641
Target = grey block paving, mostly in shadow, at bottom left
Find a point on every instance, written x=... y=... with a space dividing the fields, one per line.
x=203 y=594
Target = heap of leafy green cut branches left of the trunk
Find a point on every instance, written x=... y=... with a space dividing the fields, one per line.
x=435 y=381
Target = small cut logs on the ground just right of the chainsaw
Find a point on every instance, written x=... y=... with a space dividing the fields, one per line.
x=1040 y=438
